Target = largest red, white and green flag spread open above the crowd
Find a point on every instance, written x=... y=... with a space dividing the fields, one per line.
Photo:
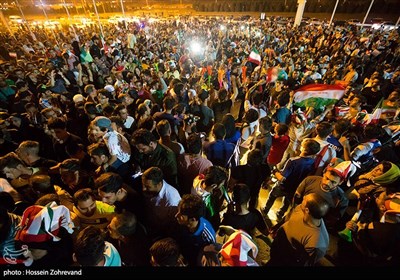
x=318 y=95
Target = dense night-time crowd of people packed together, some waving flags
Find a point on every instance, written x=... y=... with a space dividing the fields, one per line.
x=144 y=143
